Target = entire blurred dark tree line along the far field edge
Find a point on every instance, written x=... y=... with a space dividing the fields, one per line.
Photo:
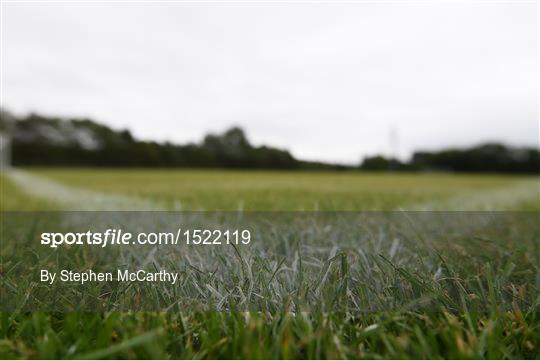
x=48 y=141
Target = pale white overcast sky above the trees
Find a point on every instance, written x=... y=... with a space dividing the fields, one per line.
x=326 y=81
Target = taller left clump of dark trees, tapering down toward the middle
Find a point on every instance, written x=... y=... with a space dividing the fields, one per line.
x=39 y=141
